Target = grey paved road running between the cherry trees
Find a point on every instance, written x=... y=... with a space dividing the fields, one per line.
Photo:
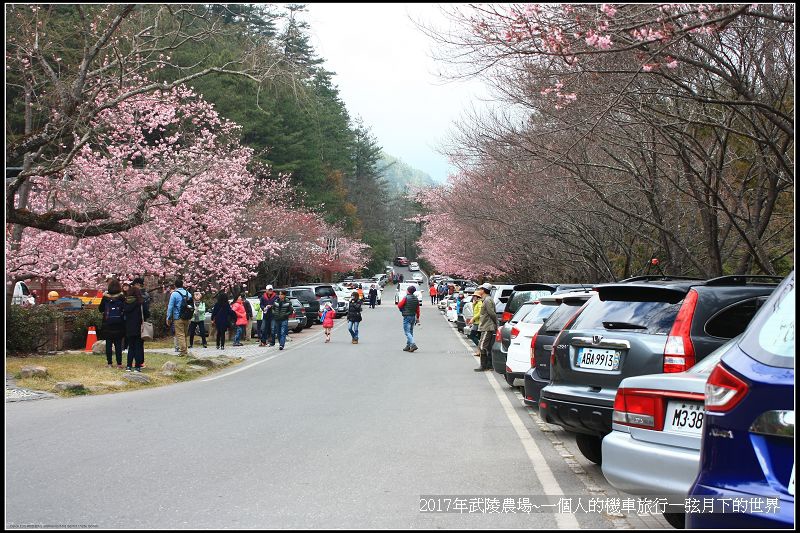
x=318 y=435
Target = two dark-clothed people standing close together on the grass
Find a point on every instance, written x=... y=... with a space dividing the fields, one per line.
x=124 y=307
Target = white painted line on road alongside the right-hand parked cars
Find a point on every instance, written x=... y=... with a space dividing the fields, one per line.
x=544 y=474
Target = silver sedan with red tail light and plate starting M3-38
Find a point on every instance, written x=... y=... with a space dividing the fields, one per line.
x=654 y=445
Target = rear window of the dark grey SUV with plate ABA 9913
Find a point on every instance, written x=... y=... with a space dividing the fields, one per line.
x=651 y=317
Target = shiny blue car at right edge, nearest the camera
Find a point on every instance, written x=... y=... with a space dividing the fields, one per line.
x=748 y=435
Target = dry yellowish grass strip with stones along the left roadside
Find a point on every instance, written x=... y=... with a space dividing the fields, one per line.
x=91 y=370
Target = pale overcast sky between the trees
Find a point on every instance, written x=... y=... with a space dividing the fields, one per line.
x=386 y=76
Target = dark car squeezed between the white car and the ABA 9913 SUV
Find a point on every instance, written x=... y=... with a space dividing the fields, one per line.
x=538 y=376
